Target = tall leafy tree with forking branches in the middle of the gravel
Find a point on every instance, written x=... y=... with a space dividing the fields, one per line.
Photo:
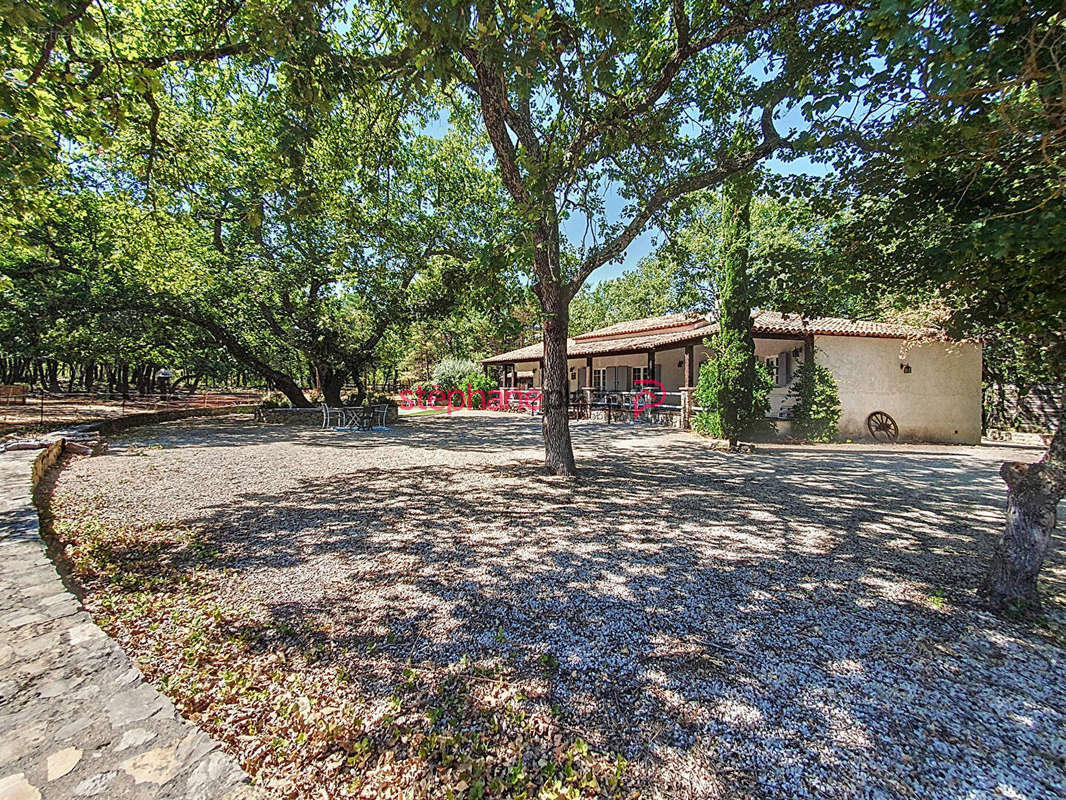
x=586 y=102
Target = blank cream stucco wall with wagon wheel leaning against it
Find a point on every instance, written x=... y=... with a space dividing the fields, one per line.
x=940 y=401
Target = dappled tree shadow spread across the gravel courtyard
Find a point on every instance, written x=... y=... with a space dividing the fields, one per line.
x=790 y=619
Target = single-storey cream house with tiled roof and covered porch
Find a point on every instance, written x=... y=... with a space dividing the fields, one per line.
x=894 y=380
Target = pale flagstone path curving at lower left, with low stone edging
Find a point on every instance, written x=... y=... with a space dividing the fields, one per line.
x=77 y=719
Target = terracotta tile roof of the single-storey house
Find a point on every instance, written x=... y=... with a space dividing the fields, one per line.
x=764 y=323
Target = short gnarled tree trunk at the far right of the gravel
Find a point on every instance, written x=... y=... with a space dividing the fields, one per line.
x=1035 y=492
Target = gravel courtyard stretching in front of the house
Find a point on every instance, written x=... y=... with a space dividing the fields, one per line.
x=799 y=622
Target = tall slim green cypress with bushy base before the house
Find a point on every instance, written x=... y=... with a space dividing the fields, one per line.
x=734 y=387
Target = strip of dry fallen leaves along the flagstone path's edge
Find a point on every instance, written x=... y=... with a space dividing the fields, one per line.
x=302 y=726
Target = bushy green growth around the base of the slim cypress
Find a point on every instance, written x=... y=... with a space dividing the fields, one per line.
x=718 y=375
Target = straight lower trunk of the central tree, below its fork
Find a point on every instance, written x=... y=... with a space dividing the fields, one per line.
x=556 y=395
